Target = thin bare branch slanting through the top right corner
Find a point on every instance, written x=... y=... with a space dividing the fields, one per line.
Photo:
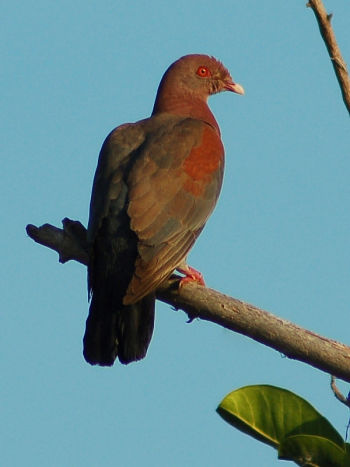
x=327 y=33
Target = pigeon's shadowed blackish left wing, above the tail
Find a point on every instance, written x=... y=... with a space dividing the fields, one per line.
x=110 y=238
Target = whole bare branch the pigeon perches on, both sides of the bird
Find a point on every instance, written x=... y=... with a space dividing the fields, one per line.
x=207 y=304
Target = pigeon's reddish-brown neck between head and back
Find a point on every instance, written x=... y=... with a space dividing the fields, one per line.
x=186 y=106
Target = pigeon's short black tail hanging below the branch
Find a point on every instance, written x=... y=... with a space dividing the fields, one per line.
x=124 y=332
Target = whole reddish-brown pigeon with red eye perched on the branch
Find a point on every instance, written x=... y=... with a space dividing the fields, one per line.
x=157 y=182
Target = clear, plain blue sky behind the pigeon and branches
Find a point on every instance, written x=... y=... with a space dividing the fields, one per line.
x=279 y=237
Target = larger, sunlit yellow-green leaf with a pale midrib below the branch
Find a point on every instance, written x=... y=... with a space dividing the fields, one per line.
x=270 y=414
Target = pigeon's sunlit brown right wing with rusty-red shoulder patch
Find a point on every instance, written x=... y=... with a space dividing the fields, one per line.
x=172 y=189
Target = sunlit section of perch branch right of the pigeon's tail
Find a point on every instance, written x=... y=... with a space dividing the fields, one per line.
x=293 y=341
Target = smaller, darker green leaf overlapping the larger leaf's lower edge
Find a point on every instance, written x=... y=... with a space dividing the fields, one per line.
x=310 y=450
